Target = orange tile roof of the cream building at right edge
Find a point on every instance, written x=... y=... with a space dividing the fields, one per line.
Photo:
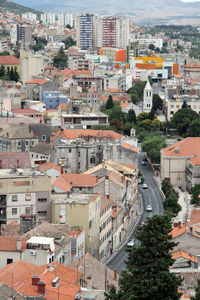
x=186 y=147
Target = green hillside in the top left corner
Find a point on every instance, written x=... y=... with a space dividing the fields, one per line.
x=6 y=5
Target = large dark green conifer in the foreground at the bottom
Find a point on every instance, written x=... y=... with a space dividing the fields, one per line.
x=148 y=276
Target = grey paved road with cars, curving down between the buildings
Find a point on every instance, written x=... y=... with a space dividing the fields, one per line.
x=151 y=196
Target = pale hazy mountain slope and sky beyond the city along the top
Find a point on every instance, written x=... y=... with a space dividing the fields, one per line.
x=143 y=11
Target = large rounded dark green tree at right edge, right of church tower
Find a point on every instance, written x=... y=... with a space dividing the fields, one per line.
x=182 y=119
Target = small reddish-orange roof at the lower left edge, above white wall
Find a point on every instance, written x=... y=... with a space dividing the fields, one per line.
x=9 y=243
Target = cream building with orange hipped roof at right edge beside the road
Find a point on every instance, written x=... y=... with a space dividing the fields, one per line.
x=174 y=160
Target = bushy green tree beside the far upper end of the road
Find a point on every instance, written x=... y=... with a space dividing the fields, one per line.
x=152 y=145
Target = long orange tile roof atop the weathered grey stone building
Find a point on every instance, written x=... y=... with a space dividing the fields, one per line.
x=73 y=134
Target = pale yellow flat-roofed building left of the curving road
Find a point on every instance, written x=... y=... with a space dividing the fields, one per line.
x=82 y=210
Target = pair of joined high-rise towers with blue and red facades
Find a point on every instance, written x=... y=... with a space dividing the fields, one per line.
x=94 y=31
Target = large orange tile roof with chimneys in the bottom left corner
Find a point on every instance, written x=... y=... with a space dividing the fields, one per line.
x=18 y=275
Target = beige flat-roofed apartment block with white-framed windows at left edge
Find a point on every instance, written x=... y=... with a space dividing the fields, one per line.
x=23 y=192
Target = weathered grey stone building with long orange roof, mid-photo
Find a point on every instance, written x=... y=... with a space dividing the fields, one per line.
x=79 y=150
